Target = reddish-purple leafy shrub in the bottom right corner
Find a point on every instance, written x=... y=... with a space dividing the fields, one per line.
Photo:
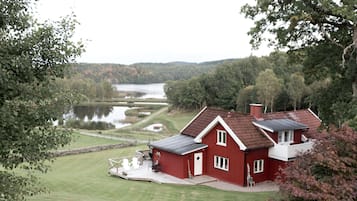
x=328 y=172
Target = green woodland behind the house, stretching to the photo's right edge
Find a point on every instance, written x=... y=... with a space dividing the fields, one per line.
x=279 y=81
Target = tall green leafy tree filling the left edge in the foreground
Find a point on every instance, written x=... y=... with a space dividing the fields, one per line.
x=32 y=55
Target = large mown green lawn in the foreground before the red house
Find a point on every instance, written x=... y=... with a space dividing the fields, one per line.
x=84 y=178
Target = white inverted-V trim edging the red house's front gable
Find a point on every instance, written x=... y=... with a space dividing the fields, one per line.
x=213 y=123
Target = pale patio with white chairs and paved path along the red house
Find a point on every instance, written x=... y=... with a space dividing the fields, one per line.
x=145 y=173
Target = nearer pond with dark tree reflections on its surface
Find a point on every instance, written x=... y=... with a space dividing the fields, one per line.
x=105 y=113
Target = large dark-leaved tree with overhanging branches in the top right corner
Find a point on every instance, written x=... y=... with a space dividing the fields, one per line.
x=324 y=32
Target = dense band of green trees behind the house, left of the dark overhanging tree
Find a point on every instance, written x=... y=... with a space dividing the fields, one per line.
x=237 y=83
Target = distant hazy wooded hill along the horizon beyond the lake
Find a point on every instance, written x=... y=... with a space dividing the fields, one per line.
x=143 y=73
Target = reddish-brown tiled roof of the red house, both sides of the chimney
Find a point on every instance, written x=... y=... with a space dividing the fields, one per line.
x=243 y=128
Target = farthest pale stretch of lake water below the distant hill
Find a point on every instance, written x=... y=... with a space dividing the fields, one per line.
x=150 y=90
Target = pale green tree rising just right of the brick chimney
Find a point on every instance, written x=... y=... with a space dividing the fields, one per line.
x=268 y=88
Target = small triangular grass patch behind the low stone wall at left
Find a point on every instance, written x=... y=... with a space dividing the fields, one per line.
x=80 y=141
